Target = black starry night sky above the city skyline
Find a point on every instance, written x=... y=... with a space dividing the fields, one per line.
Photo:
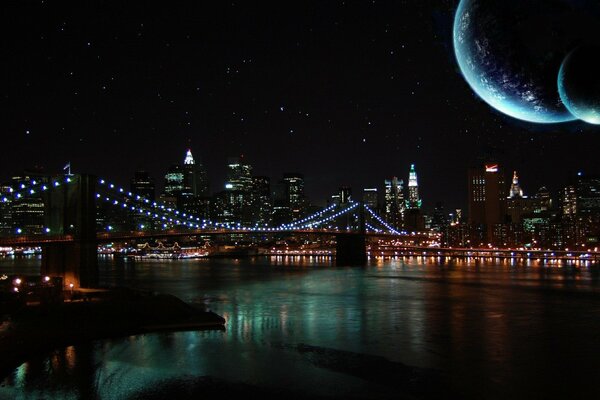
x=348 y=93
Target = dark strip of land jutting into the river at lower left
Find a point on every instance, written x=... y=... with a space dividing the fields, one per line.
x=36 y=329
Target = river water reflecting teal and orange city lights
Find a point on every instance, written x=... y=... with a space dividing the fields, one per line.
x=498 y=328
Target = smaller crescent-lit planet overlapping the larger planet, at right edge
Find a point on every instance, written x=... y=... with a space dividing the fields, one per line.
x=579 y=83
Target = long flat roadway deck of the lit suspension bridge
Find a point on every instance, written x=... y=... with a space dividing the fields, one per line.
x=108 y=237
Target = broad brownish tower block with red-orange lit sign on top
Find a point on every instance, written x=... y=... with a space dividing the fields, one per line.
x=487 y=201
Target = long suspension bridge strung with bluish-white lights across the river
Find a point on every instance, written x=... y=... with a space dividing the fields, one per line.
x=71 y=235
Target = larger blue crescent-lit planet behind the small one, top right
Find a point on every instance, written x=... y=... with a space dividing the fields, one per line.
x=511 y=51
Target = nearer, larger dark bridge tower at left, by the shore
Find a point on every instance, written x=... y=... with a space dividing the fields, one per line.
x=70 y=210
